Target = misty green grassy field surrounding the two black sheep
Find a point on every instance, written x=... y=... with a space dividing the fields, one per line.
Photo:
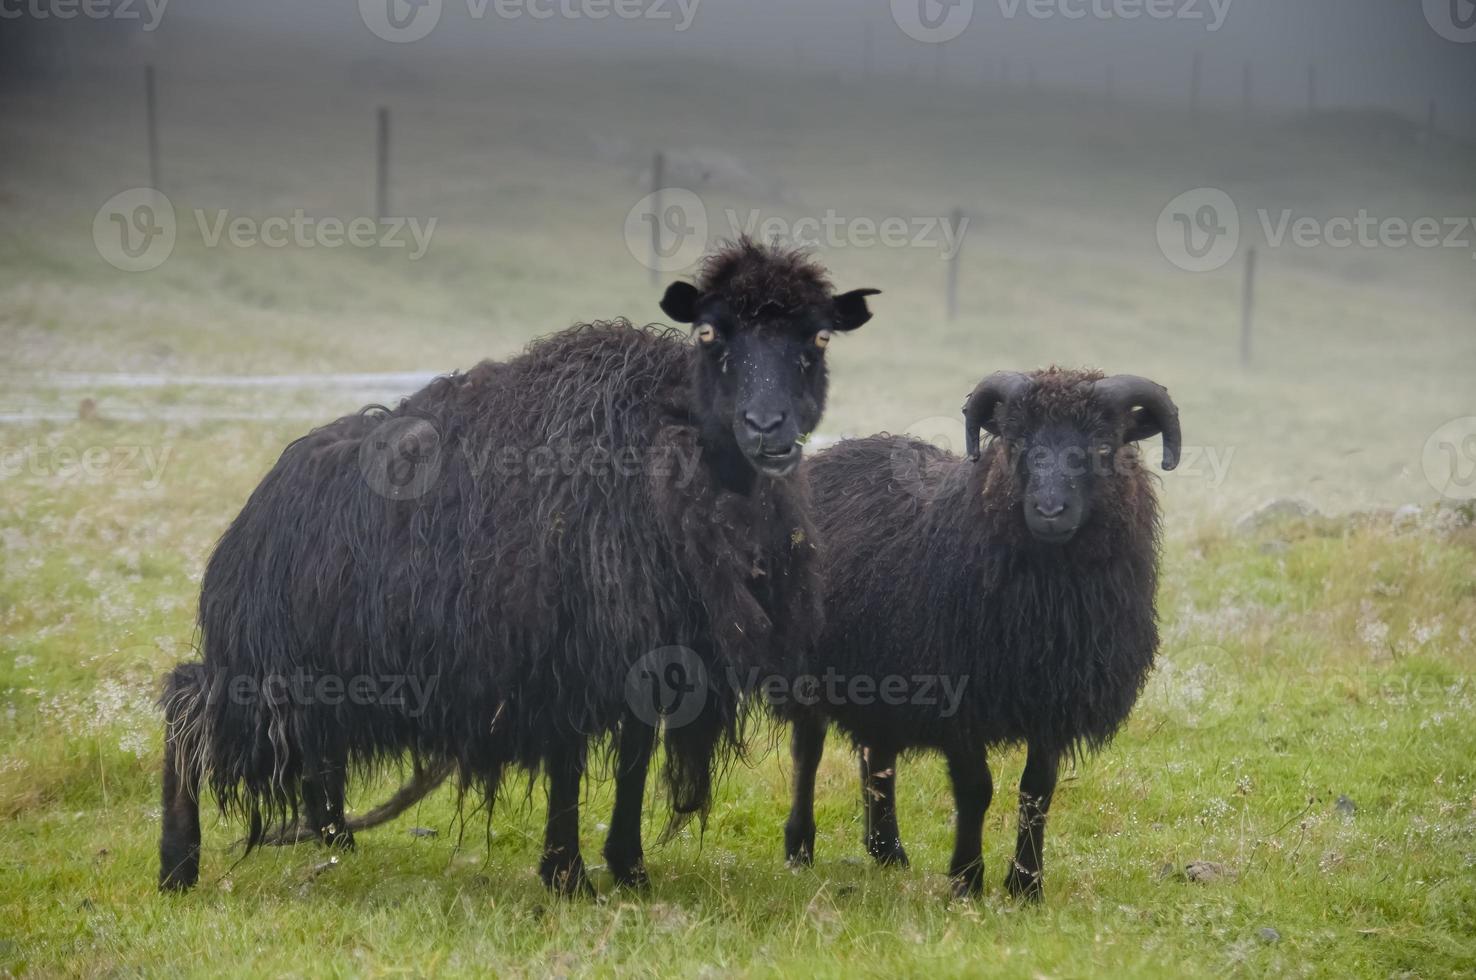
x=1306 y=745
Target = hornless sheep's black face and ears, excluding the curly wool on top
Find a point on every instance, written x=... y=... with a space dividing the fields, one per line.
x=761 y=379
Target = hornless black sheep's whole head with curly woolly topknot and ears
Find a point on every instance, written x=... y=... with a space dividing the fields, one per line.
x=762 y=318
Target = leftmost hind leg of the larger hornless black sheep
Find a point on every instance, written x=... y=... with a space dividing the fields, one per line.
x=185 y=762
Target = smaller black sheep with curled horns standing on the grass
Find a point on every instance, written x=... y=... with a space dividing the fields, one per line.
x=1025 y=575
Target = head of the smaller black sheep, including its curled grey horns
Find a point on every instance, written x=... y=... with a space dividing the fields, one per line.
x=1066 y=438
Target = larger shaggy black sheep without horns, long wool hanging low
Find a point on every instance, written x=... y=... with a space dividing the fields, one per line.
x=477 y=573
